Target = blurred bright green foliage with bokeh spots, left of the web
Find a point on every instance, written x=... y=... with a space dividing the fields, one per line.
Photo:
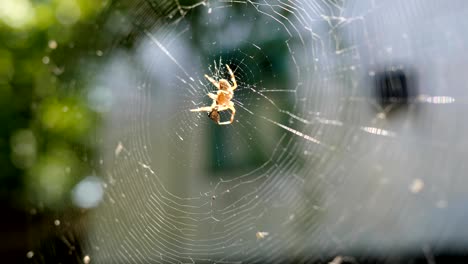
x=46 y=122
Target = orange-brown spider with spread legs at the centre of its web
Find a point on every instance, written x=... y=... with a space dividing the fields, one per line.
x=221 y=100
